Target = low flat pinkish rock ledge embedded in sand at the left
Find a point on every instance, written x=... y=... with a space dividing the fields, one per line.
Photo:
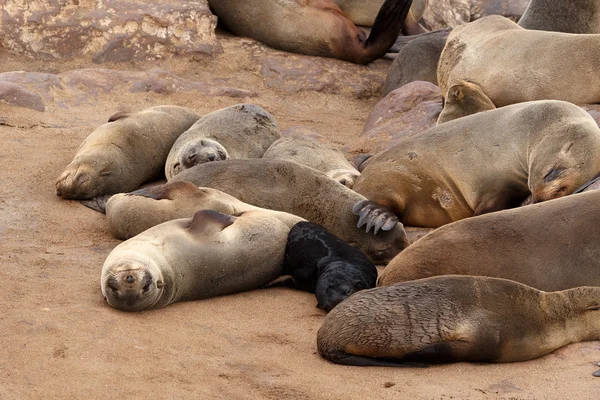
x=83 y=86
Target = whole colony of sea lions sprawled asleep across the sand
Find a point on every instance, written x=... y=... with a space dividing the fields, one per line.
x=241 y=211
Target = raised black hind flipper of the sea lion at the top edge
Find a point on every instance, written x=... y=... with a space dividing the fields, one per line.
x=386 y=29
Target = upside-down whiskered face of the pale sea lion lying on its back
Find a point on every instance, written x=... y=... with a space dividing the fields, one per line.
x=132 y=283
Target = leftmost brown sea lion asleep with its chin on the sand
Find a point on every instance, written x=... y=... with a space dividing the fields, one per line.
x=124 y=153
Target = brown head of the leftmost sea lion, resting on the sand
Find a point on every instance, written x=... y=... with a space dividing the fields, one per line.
x=84 y=180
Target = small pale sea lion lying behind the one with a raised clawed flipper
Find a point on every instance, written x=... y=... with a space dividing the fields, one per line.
x=316 y=155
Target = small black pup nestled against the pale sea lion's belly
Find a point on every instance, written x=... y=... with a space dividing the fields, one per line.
x=321 y=263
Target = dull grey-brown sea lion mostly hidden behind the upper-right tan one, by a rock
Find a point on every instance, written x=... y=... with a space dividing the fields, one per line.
x=417 y=60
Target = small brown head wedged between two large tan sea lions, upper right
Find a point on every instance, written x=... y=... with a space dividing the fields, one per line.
x=464 y=98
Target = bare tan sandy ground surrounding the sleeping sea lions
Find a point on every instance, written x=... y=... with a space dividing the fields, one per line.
x=59 y=338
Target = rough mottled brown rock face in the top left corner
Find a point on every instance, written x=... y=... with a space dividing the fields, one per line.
x=108 y=30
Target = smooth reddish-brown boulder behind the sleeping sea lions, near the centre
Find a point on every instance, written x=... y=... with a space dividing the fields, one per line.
x=404 y=112
